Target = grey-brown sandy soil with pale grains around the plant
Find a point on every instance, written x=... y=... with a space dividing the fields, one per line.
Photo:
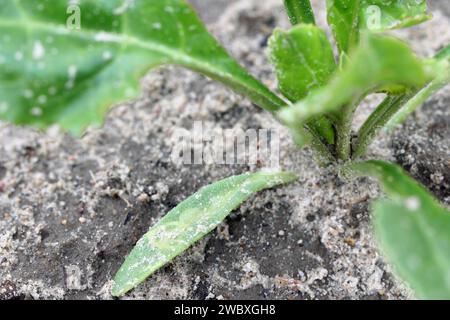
x=71 y=209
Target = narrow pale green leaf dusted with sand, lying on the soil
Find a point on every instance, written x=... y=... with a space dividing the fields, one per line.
x=188 y=222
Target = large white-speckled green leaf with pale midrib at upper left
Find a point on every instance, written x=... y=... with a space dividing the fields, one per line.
x=53 y=74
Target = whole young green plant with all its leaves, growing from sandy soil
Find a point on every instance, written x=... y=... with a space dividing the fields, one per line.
x=50 y=74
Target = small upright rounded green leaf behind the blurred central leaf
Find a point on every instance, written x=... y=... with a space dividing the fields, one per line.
x=304 y=60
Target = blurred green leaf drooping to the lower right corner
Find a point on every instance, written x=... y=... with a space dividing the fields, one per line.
x=413 y=230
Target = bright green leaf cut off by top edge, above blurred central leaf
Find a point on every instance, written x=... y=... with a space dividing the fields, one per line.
x=348 y=17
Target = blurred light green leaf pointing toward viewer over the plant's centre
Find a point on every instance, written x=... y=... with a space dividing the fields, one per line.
x=392 y=63
